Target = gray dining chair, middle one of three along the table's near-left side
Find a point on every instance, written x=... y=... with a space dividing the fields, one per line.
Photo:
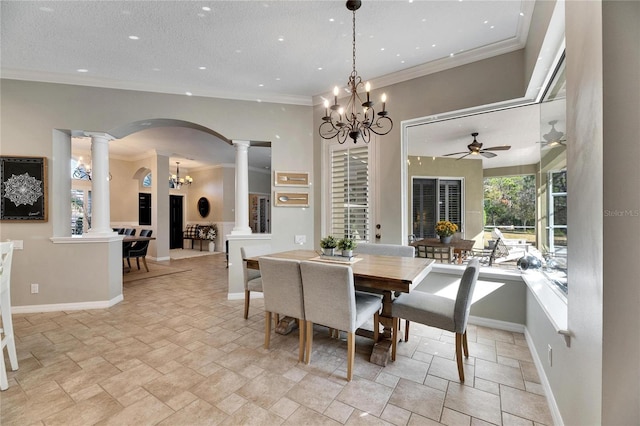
x=282 y=289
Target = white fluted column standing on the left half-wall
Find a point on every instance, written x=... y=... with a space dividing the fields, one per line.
x=100 y=202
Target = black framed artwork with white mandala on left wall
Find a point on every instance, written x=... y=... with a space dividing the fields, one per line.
x=23 y=196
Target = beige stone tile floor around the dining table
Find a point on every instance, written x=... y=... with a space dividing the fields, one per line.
x=177 y=352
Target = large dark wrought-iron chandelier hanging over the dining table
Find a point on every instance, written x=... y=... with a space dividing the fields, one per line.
x=339 y=122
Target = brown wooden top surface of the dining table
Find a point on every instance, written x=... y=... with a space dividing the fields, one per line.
x=391 y=273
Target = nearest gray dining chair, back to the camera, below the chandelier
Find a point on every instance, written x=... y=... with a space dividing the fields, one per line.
x=330 y=299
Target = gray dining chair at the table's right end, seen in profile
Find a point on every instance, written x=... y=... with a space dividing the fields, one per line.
x=441 y=312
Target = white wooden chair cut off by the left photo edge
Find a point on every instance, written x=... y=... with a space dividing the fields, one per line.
x=7 y=338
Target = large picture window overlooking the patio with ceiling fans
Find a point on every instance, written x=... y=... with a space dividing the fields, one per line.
x=515 y=182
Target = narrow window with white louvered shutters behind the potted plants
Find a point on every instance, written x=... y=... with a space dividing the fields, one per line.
x=350 y=203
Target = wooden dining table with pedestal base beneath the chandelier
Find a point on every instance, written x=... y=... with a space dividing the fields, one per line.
x=385 y=275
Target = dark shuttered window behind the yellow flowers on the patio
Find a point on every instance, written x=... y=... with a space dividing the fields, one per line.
x=433 y=200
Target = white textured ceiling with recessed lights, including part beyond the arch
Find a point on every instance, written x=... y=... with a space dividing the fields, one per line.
x=277 y=51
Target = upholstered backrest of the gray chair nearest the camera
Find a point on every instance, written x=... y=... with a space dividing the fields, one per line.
x=329 y=295
